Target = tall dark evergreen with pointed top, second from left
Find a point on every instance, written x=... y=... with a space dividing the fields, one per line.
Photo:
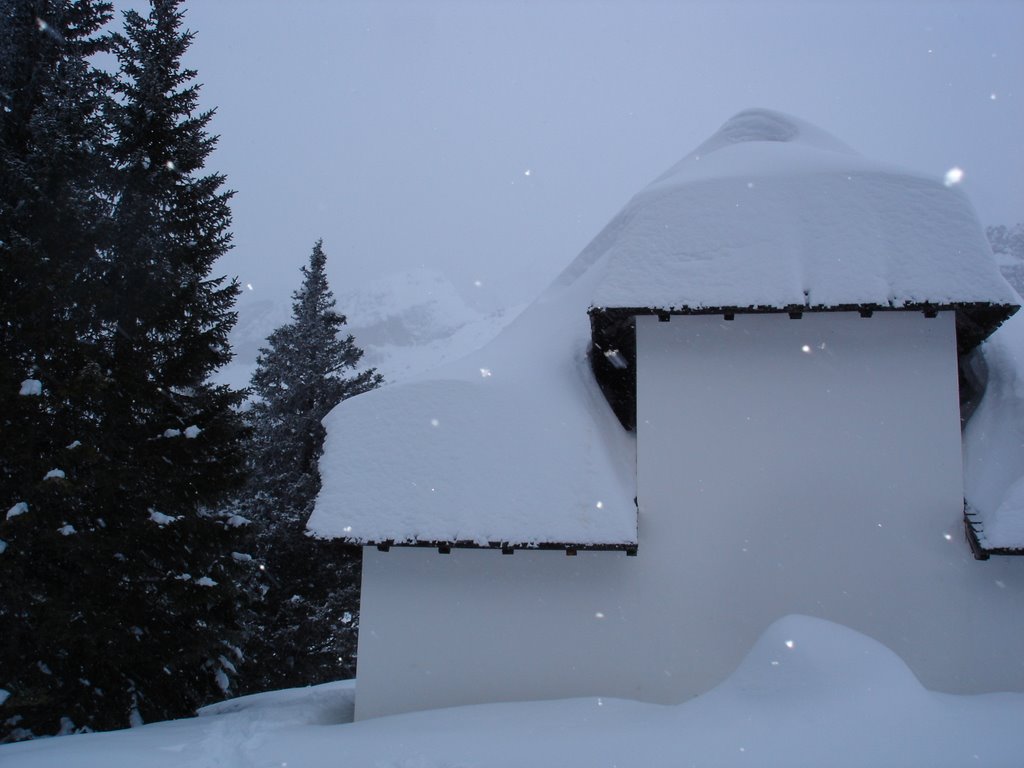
x=127 y=602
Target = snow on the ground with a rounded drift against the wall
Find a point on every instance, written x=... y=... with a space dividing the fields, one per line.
x=809 y=694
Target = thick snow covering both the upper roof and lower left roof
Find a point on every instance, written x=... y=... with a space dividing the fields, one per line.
x=517 y=446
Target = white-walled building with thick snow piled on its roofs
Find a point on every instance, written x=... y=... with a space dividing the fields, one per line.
x=740 y=402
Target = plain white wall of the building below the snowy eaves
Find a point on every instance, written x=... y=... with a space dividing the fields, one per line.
x=772 y=481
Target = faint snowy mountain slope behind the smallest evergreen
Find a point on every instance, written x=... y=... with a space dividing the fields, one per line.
x=406 y=323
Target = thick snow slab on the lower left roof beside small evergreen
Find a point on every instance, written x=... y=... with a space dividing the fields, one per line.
x=528 y=453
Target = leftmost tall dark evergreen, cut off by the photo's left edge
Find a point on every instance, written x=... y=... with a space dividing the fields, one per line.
x=54 y=168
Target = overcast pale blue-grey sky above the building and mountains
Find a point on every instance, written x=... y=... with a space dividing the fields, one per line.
x=492 y=141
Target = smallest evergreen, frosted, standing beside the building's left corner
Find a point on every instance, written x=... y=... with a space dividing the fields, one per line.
x=308 y=627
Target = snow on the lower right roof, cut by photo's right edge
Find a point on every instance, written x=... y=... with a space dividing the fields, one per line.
x=994 y=442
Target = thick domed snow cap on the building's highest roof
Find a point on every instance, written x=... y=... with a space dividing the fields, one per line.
x=774 y=212
